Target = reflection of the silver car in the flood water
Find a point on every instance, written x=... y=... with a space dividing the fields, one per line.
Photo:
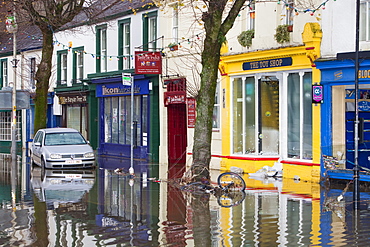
x=57 y=187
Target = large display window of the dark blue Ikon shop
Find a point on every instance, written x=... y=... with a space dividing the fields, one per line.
x=117 y=123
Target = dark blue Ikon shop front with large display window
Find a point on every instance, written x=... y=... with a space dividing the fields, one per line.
x=115 y=120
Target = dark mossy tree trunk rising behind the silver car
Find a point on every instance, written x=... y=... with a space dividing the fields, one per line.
x=42 y=79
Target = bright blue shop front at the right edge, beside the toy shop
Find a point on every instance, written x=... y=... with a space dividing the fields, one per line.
x=338 y=115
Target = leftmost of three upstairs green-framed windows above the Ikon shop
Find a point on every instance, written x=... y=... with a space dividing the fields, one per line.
x=101 y=49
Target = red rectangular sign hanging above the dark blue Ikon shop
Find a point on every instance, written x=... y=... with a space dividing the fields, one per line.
x=147 y=62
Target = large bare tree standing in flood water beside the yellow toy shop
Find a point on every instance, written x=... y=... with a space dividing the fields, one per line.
x=217 y=17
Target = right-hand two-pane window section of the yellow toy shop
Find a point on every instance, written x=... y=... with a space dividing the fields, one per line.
x=299 y=113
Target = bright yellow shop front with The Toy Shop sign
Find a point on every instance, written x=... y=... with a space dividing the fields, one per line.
x=269 y=116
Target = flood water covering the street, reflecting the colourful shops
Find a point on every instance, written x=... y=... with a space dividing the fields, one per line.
x=107 y=207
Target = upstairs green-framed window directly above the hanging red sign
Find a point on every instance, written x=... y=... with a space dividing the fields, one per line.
x=150 y=31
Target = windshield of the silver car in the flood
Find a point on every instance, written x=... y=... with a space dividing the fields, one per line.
x=71 y=138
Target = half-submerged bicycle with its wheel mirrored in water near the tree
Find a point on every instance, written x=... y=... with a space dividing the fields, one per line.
x=230 y=190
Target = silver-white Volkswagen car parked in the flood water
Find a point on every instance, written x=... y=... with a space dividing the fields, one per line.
x=61 y=148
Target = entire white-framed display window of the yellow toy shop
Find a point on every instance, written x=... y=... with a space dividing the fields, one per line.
x=256 y=117
